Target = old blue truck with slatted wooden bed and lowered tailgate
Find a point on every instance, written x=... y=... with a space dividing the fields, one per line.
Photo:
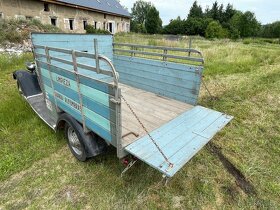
x=104 y=94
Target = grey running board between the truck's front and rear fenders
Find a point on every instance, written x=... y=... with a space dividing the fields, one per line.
x=38 y=104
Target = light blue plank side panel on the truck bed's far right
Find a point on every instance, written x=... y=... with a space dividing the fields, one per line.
x=176 y=81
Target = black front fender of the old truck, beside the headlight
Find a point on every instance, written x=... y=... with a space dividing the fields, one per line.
x=28 y=82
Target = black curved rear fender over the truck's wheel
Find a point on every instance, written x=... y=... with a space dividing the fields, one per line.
x=94 y=145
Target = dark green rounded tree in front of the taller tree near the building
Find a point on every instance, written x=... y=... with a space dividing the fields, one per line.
x=153 y=22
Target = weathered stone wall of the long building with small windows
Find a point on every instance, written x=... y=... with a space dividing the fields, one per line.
x=27 y=9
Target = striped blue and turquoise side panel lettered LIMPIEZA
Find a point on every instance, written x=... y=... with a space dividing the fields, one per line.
x=100 y=113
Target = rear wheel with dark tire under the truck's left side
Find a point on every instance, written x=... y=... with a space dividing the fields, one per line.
x=76 y=145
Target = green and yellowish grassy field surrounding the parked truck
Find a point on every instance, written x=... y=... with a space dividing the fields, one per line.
x=38 y=171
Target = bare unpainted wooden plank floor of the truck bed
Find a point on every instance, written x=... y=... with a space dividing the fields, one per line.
x=153 y=111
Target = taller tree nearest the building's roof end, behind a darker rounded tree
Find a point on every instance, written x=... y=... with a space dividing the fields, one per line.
x=139 y=11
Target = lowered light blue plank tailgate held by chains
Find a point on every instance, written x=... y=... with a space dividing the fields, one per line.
x=179 y=139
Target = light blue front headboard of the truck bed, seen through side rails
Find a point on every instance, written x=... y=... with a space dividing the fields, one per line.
x=78 y=42
